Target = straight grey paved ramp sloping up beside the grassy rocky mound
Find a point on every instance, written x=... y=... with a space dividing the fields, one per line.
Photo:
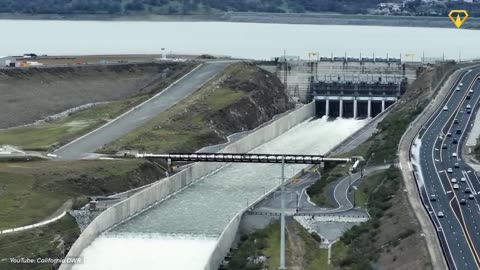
x=141 y=114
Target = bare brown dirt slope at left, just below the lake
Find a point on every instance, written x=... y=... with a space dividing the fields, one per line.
x=30 y=94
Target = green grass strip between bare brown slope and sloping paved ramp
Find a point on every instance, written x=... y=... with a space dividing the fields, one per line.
x=47 y=136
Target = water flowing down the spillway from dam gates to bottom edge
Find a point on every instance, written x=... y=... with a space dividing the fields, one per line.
x=187 y=224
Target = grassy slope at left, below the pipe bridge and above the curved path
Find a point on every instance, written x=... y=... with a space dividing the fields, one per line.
x=31 y=191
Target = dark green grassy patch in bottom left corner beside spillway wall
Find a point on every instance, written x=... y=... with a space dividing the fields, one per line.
x=45 y=242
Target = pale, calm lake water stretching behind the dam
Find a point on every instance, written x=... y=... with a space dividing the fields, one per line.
x=248 y=40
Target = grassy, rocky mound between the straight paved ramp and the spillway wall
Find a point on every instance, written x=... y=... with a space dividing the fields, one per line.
x=240 y=98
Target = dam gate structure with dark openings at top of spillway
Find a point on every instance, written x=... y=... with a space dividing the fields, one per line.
x=357 y=99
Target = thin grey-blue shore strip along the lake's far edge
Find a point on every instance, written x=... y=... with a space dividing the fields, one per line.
x=259 y=17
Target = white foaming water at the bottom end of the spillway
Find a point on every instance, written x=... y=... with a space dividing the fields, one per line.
x=147 y=251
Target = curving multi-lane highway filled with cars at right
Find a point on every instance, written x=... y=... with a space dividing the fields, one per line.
x=437 y=157
